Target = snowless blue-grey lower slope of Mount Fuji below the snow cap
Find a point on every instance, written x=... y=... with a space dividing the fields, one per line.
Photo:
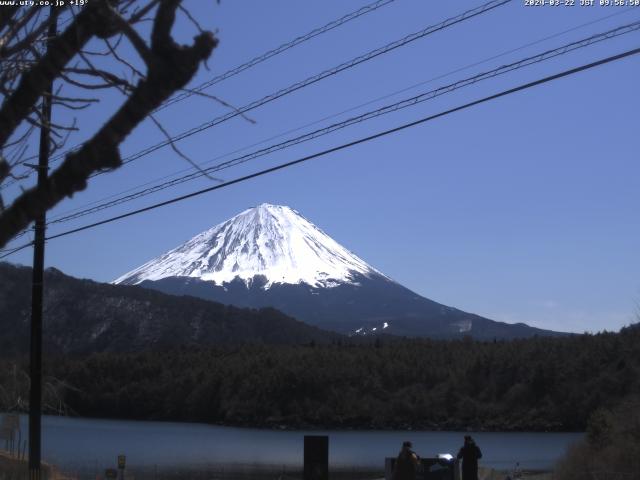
x=370 y=308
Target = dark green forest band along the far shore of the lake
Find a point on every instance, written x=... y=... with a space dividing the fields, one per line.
x=541 y=384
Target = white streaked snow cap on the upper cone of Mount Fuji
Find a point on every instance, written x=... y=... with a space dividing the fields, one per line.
x=270 y=240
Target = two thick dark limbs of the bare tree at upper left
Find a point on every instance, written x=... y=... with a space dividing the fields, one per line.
x=170 y=68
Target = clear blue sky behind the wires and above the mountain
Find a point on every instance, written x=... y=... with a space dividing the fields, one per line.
x=523 y=209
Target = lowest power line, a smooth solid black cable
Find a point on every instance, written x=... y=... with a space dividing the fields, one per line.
x=343 y=146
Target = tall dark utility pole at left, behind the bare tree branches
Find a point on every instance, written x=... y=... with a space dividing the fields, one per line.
x=35 y=366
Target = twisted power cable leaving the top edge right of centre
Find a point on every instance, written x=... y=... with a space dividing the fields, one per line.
x=310 y=80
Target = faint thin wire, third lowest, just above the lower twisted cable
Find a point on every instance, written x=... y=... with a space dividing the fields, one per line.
x=329 y=117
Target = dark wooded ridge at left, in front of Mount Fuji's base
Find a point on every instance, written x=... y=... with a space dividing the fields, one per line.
x=83 y=316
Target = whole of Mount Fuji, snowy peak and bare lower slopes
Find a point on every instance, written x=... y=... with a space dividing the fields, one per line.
x=272 y=256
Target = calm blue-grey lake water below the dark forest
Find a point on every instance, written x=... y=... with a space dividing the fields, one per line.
x=96 y=443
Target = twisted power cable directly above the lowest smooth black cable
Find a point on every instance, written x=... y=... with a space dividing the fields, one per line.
x=405 y=103
